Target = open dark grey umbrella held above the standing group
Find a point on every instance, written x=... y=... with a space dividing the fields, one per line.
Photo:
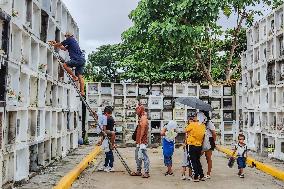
x=194 y=103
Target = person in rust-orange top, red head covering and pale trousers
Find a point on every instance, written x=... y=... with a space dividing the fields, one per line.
x=141 y=144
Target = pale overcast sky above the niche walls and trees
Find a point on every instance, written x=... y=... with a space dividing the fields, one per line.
x=102 y=21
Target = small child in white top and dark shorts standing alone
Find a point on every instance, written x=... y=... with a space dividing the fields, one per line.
x=241 y=150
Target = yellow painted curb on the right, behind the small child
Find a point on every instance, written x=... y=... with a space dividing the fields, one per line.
x=261 y=166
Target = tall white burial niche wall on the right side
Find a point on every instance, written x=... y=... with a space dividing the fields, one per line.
x=262 y=91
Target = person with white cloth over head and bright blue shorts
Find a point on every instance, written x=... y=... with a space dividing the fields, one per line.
x=168 y=133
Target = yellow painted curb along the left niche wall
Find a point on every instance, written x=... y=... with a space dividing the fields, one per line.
x=68 y=179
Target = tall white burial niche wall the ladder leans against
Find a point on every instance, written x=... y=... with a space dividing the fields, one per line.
x=38 y=119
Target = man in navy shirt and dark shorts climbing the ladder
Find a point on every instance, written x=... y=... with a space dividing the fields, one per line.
x=77 y=58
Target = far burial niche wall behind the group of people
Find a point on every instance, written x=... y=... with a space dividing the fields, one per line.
x=159 y=101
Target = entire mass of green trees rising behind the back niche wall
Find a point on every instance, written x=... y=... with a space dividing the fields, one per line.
x=180 y=40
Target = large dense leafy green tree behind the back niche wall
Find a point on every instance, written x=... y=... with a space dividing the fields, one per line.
x=161 y=37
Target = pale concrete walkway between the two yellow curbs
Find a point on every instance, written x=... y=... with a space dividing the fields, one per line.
x=222 y=176
